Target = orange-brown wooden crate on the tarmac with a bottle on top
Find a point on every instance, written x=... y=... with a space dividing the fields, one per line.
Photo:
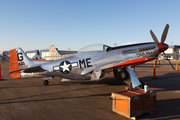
x=134 y=103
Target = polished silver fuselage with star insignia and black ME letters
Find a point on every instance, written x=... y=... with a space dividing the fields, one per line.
x=81 y=65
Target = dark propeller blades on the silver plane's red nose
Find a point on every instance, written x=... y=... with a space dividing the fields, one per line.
x=163 y=38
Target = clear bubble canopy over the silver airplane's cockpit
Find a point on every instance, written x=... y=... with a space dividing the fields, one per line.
x=94 y=47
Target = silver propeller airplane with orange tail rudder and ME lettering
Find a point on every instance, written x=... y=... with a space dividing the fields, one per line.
x=91 y=62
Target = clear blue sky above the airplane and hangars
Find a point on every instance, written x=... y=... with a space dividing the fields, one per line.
x=37 y=24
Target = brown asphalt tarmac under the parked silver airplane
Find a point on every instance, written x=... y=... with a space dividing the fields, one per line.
x=29 y=99
